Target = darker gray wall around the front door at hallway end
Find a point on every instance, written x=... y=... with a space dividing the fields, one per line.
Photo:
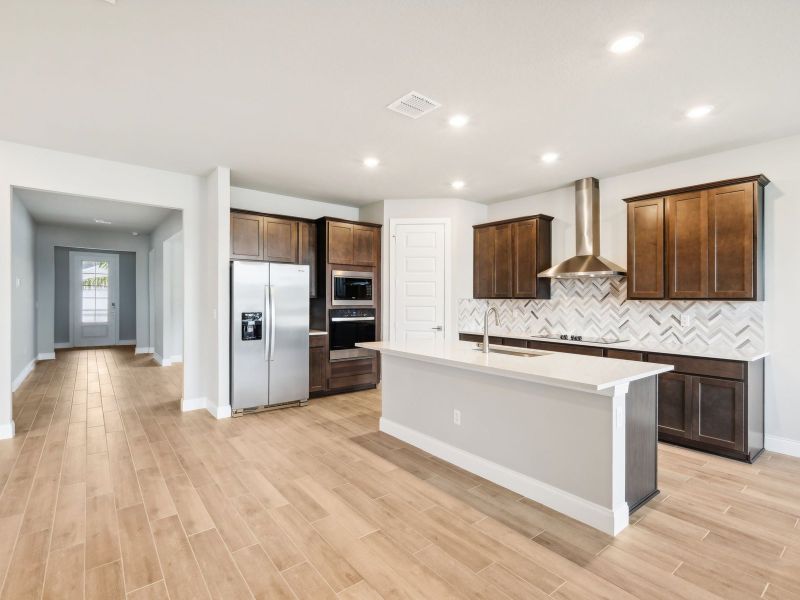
x=126 y=302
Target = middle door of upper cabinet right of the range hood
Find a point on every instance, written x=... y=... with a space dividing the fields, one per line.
x=687 y=245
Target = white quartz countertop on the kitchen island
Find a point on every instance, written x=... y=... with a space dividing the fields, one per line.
x=587 y=373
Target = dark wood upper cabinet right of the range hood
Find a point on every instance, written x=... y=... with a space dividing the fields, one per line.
x=714 y=242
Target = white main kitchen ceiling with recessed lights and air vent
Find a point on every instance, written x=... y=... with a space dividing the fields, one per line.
x=291 y=94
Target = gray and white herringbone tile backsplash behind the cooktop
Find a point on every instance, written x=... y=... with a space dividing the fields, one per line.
x=599 y=307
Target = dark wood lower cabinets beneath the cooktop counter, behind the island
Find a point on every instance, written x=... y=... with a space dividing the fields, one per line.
x=706 y=404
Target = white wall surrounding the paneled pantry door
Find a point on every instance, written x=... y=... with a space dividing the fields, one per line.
x=462 y=214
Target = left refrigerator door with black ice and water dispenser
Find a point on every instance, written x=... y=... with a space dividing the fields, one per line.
x=249 y=334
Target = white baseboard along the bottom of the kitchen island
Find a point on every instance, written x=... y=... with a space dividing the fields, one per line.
x=605 y=519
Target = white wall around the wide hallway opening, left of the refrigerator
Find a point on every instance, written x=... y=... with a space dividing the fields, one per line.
x=37 y=168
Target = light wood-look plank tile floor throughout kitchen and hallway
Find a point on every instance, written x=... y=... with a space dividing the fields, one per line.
x=109 y=491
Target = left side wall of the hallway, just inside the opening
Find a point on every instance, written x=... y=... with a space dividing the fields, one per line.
x=23 y=289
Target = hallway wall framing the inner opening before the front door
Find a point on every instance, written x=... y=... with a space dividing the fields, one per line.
x=50 y=236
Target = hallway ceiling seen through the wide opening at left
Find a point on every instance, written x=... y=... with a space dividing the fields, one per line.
x=80 y=211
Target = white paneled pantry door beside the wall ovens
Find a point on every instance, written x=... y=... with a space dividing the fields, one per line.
x=419 y=298
